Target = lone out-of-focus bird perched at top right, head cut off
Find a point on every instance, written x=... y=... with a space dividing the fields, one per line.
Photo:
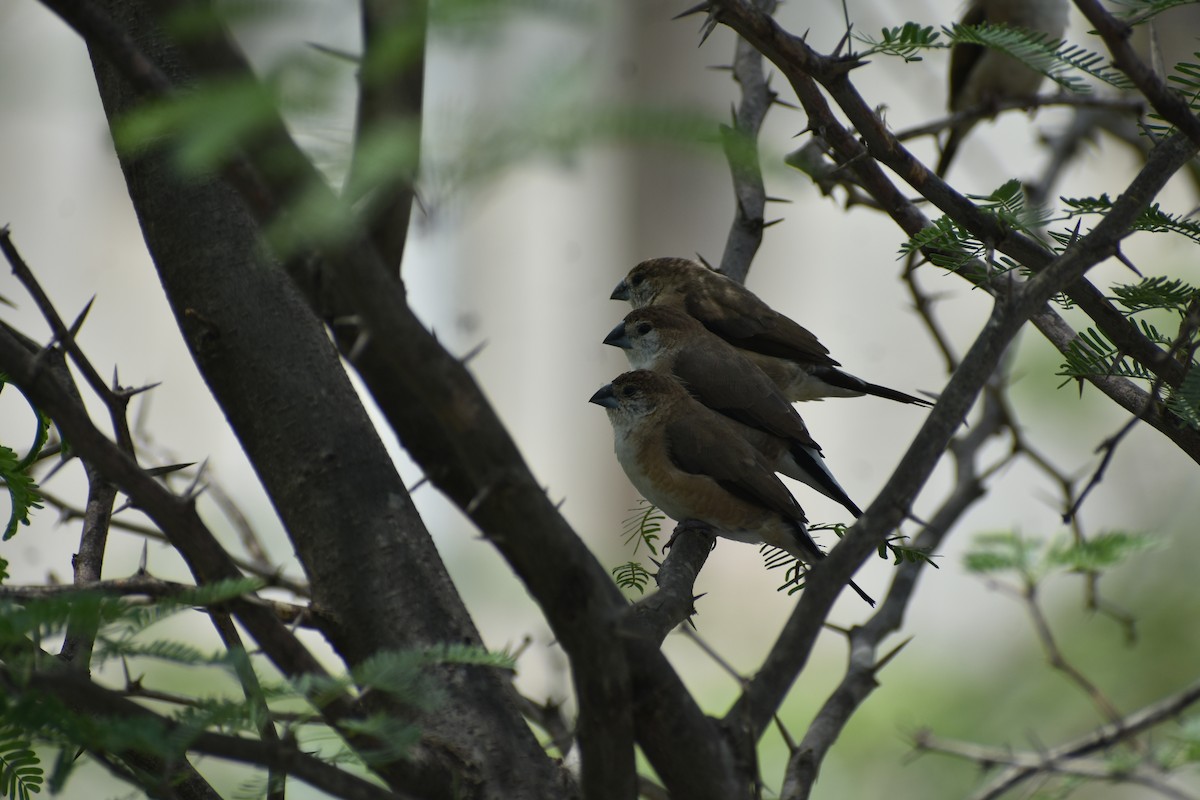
x=981 y=76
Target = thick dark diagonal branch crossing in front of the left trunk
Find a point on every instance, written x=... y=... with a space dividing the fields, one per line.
x=439 y=412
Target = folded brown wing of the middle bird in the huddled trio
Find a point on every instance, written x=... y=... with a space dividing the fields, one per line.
x=727 y=382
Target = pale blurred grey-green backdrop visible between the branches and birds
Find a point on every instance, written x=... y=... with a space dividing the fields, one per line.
x=523 y=236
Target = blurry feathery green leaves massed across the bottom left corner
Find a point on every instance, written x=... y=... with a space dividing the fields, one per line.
x=29 y=715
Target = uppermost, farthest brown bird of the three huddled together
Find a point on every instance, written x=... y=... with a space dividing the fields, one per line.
x=790 y=354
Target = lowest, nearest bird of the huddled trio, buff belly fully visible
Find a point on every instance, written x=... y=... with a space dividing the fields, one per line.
x=693 y=466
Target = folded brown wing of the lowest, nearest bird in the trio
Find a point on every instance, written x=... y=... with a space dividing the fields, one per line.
x=703 y=443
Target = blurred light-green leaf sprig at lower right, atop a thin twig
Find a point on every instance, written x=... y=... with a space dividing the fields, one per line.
x=1033 y=558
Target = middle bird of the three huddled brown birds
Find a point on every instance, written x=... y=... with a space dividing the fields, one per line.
x=670 y=342
